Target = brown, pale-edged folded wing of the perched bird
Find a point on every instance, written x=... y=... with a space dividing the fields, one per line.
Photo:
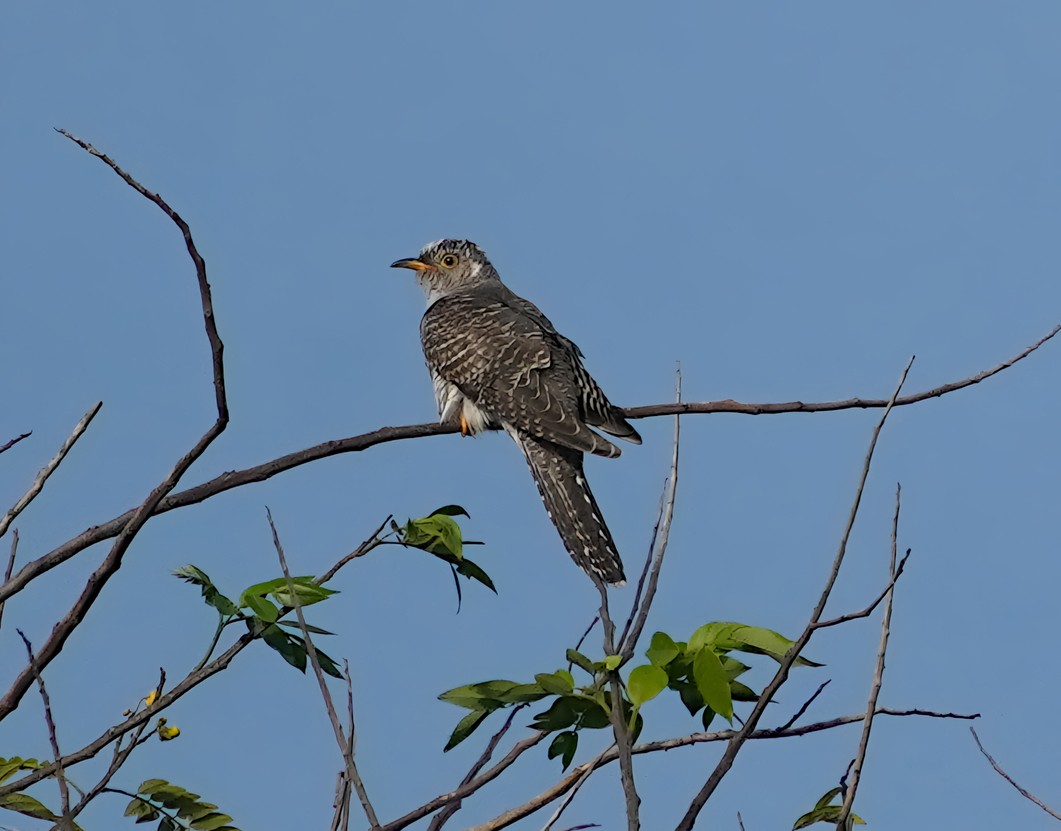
x=513 y=366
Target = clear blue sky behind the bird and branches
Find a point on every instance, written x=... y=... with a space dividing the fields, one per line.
x=790 y=200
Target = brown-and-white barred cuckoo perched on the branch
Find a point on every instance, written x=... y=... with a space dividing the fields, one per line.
x=497 y=362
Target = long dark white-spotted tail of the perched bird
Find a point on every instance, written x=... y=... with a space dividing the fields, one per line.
x=559 y=474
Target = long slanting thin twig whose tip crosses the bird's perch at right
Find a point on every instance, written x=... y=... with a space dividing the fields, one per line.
x=729 y=755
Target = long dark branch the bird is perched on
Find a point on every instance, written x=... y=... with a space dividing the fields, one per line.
x=235 y=479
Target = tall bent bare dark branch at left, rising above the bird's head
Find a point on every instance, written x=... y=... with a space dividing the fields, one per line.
x=149 y=508
